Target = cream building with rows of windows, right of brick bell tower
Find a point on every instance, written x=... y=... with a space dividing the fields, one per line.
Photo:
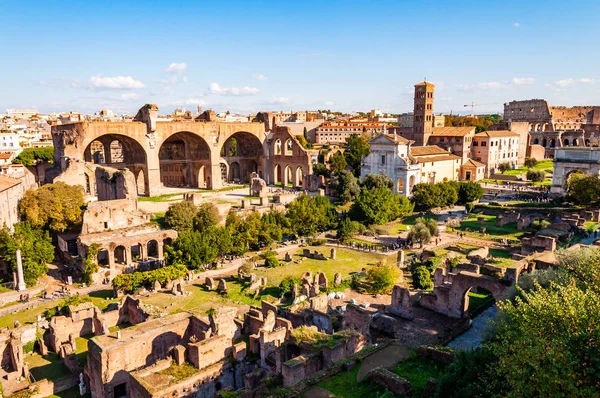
x=494 y=148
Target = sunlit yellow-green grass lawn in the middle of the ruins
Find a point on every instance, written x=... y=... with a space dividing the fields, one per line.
x=347 y=261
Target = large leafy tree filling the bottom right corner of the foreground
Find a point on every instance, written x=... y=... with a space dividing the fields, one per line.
x=547 y=343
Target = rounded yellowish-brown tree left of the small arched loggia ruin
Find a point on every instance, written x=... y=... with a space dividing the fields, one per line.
x=56 y=206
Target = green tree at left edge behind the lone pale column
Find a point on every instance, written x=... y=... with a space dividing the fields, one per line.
x=36 y=250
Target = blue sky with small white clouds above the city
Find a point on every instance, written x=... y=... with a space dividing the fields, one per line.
x=246 y=56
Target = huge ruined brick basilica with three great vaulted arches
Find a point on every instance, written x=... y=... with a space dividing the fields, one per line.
x=197 y=153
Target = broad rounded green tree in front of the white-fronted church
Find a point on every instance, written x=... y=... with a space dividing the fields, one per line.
x=379 y=206
